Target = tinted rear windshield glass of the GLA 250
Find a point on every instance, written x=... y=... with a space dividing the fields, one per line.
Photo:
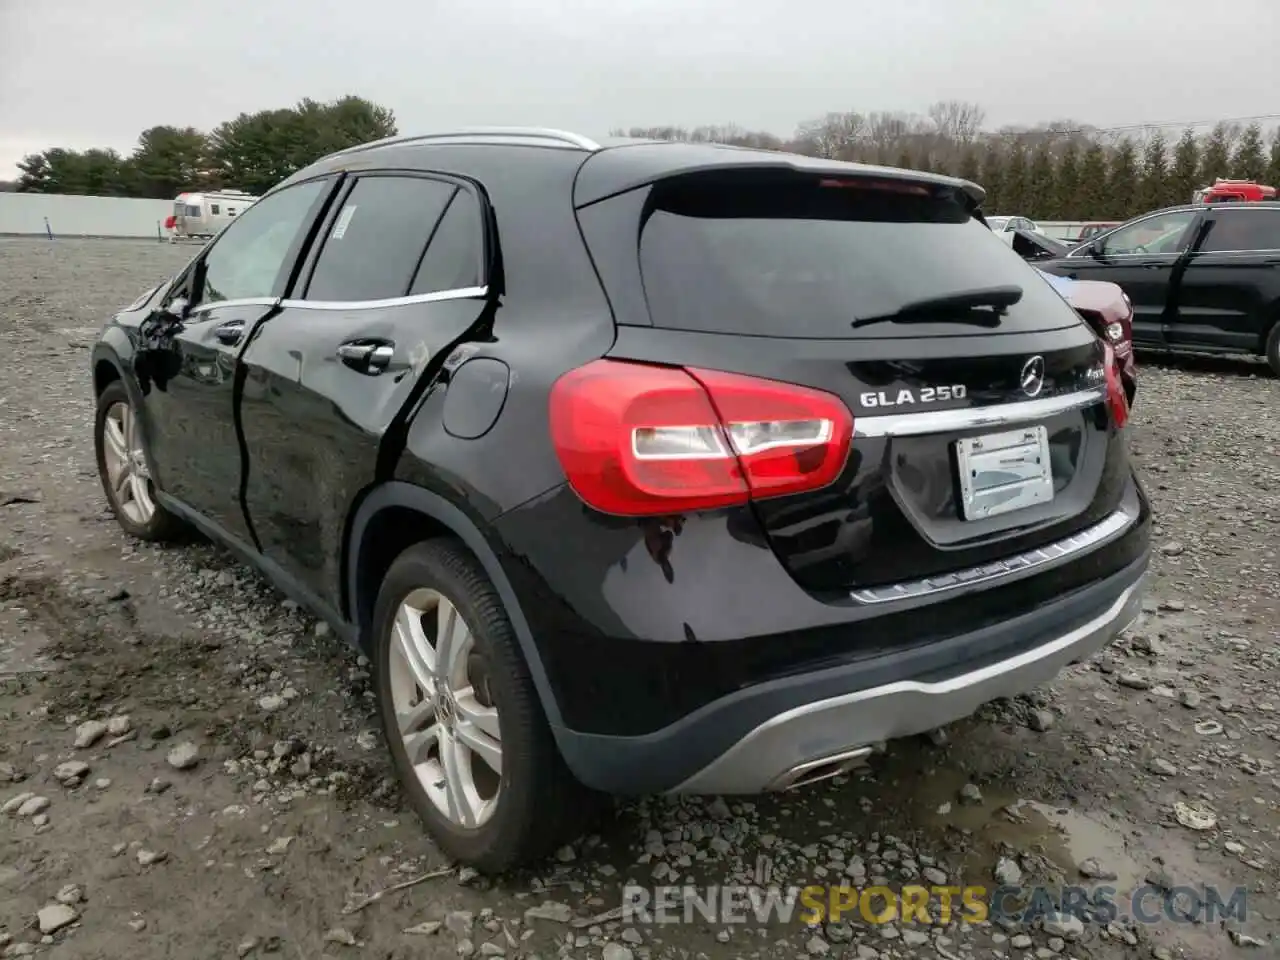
x=804 y=257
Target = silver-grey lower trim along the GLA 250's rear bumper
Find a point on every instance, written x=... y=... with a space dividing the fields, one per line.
x=904 y=708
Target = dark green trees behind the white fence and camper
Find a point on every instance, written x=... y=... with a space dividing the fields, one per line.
x=250 y=153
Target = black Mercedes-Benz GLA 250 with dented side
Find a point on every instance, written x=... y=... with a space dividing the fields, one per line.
x=633 y=467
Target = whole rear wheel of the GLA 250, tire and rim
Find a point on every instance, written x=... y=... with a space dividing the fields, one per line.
x=441 y=706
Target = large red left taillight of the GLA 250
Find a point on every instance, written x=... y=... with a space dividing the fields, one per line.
x=637 y=440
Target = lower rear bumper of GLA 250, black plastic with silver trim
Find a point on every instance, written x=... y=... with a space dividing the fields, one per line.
x=753 y=740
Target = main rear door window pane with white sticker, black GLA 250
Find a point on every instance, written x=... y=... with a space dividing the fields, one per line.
x=377 y=240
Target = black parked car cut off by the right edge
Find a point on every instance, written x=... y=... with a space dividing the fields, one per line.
x=1203 y=278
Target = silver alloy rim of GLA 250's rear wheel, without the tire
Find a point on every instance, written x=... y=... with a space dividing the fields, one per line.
x=445 y=712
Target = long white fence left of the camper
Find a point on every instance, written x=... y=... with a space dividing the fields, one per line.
x=43 y=214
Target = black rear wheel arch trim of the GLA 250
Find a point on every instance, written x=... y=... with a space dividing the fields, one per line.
x=392 y=518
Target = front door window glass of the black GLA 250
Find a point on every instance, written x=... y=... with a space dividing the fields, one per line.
x=248 y=258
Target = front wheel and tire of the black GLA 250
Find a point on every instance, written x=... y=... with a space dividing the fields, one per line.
x=122 y=468
